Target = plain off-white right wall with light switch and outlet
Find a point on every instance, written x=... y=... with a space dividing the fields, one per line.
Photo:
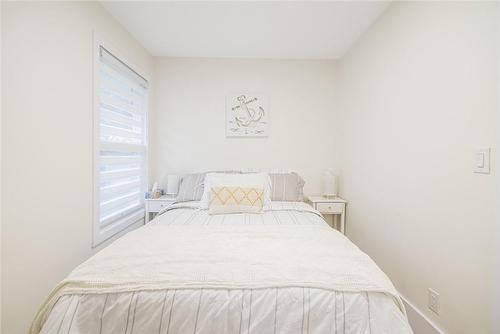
x=417 y=94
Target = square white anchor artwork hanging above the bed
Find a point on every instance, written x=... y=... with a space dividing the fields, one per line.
x=247 y=115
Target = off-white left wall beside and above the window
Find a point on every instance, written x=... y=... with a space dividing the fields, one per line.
x=47 y=52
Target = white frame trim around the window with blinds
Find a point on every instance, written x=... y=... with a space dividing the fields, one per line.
x=100 y=235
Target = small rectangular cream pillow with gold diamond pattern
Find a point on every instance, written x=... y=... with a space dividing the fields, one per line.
x=236 y=200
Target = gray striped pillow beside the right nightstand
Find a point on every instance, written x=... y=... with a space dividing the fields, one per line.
x=287 y=187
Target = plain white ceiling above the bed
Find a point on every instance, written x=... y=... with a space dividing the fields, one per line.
x=247 y=29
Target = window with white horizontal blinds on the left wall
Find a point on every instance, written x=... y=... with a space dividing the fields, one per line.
x=120 y=144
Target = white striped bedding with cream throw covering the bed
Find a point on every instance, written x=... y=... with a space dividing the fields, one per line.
x=284 y=271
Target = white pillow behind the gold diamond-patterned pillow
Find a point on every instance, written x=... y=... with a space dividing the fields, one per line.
x=250 y=180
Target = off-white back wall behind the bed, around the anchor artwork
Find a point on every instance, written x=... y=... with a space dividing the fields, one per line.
x=188 y=120
